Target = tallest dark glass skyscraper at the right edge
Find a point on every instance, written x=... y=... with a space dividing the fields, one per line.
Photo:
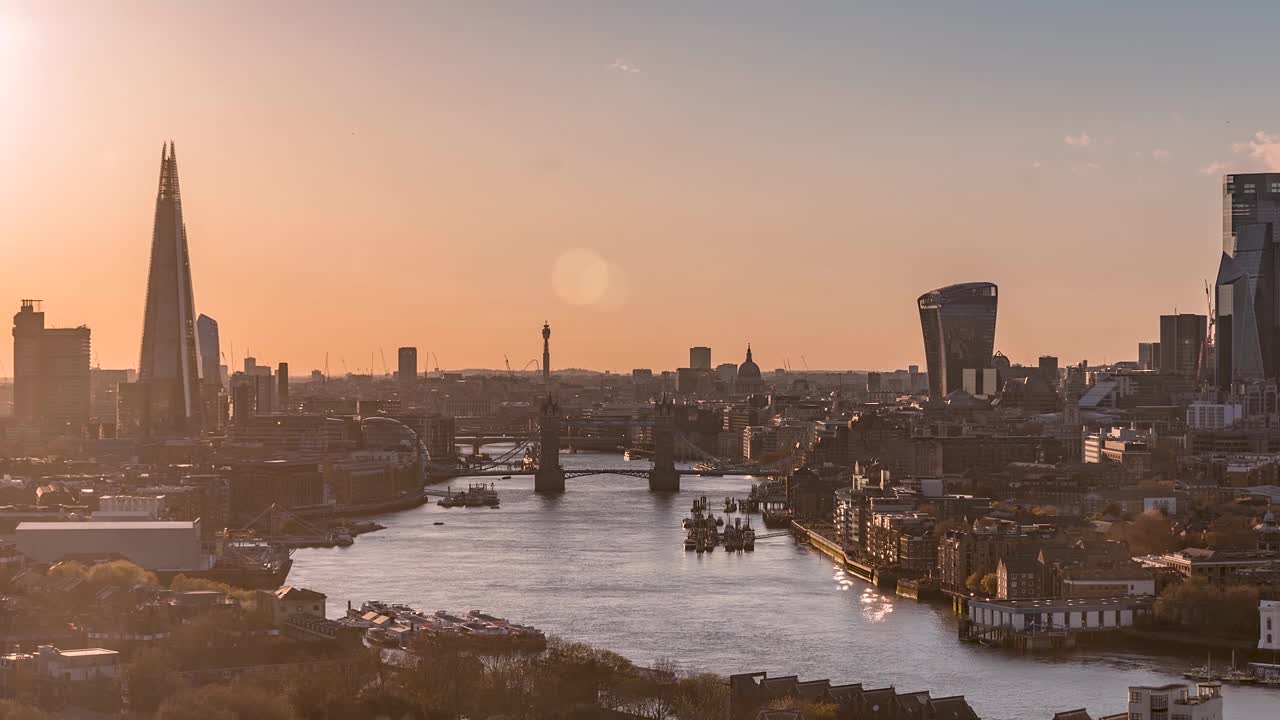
x=1249 y=277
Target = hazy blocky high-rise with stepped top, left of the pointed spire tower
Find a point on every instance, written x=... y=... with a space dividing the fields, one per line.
x=52 y=375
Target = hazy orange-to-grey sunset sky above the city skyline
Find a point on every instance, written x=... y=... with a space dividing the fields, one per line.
x=610 y=220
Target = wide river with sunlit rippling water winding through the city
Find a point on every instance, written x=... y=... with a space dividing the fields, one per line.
x=604 y=564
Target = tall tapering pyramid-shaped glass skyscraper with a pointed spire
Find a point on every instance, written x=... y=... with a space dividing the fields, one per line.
x=168 y=371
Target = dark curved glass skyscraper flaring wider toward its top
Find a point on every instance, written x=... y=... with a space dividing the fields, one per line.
x=959 y=326
